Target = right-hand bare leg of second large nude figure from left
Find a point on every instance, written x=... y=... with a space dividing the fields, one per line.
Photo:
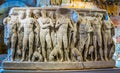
x=31 y=39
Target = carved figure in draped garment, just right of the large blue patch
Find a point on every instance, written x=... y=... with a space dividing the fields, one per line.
x=84 y=36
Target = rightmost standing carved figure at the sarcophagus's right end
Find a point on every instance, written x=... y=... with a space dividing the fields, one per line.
x=108 y=41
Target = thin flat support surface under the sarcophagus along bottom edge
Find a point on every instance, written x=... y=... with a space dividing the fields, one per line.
x=109 y=70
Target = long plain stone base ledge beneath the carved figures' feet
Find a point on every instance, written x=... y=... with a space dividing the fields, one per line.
x=57 y=65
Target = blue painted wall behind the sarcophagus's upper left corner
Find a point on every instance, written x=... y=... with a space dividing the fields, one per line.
x=8 y=4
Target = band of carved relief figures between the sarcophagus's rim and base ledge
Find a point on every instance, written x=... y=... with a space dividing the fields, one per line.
x=44 y=36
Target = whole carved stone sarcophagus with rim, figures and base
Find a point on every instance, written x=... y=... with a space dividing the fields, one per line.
x=58 y=39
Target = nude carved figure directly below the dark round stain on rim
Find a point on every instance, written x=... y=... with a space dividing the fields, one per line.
x=62 y=24
